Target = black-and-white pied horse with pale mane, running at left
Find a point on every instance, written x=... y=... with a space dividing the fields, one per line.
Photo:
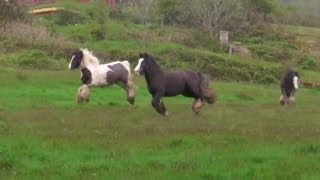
x=95 y=74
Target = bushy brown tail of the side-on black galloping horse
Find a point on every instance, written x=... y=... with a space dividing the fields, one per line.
x=206 y=92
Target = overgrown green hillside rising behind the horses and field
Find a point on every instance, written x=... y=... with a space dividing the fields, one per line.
x=51 y=39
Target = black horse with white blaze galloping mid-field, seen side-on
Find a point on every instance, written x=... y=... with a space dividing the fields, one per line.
x=168 y=84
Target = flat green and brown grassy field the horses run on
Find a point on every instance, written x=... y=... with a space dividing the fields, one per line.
x=245 y=135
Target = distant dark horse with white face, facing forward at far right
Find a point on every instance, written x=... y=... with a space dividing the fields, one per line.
x=289 y=86
